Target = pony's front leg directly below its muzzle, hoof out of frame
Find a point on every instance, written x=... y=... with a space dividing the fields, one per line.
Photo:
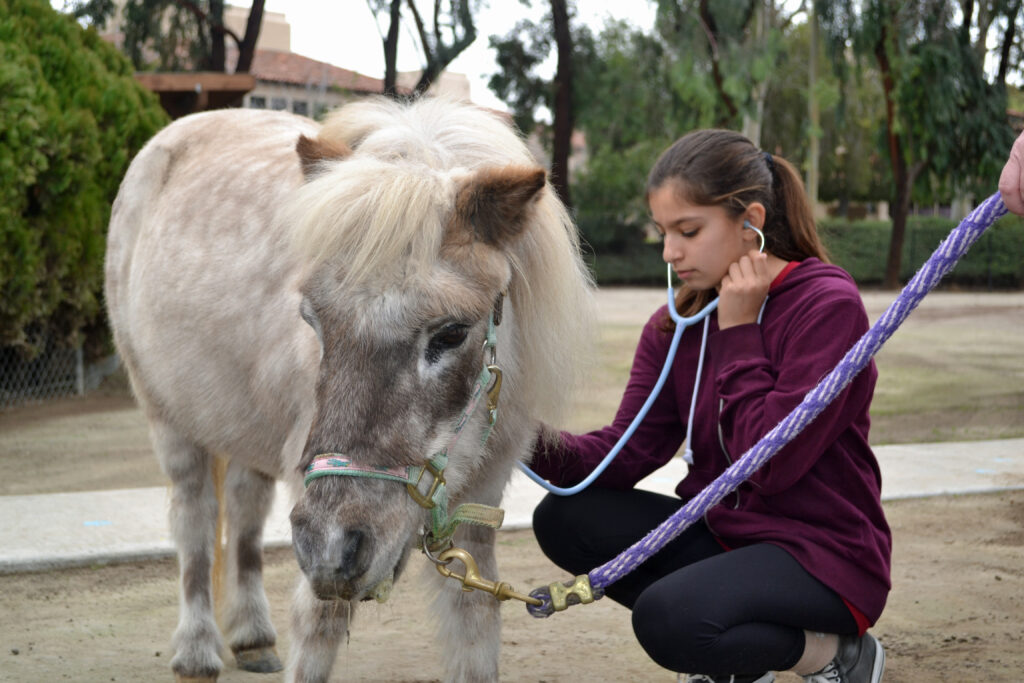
x=318 y=629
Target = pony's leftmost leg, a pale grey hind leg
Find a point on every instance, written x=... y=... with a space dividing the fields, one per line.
x=194 y=521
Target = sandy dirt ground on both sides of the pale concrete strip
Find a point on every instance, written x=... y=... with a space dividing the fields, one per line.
x=956 y=614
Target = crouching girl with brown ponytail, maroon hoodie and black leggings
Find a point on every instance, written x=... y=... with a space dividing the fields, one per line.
x=790 y=571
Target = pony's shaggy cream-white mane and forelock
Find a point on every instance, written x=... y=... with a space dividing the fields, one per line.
x=390 y=202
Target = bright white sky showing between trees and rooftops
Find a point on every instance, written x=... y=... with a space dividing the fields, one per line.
x=346 y=34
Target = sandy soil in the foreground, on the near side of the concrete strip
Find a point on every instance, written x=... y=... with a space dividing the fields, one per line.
x=956 y=614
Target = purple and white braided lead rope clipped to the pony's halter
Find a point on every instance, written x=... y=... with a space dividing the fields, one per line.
x=938 y=266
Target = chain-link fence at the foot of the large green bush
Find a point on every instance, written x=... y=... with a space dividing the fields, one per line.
x=55 y=373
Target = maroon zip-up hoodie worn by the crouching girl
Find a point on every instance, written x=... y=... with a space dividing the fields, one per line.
x=819 y=498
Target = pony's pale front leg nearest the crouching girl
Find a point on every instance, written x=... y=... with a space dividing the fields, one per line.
x=471 y=624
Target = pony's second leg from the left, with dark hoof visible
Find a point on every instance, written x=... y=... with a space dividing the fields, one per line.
x=247 y=617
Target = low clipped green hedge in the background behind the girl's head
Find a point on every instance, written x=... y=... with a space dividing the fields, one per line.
x=997 y=261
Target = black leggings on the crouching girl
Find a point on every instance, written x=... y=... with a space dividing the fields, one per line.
x=697 y=609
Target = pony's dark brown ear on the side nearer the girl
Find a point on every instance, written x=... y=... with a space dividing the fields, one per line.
x=493 y=203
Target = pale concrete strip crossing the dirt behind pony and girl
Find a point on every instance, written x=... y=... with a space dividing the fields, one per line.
x=60 y=531
